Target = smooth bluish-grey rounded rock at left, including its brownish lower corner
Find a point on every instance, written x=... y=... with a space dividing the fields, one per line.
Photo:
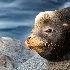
x=12 y=53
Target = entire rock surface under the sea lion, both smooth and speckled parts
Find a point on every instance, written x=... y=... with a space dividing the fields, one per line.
x=14 y=56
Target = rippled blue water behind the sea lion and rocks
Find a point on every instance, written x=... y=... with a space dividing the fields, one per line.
x=17 y=16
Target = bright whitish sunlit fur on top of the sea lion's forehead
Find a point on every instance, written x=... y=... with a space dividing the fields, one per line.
x=43 y=15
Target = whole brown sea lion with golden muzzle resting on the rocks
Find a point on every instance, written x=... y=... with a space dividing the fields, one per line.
x=50 y=36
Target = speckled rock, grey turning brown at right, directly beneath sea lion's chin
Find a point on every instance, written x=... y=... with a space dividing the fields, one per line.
x=39 y=63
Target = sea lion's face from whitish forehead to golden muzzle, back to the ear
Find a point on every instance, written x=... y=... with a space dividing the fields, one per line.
x=48 y=36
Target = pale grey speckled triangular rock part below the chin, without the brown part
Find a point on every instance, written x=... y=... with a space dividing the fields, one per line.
x=35 y=63
